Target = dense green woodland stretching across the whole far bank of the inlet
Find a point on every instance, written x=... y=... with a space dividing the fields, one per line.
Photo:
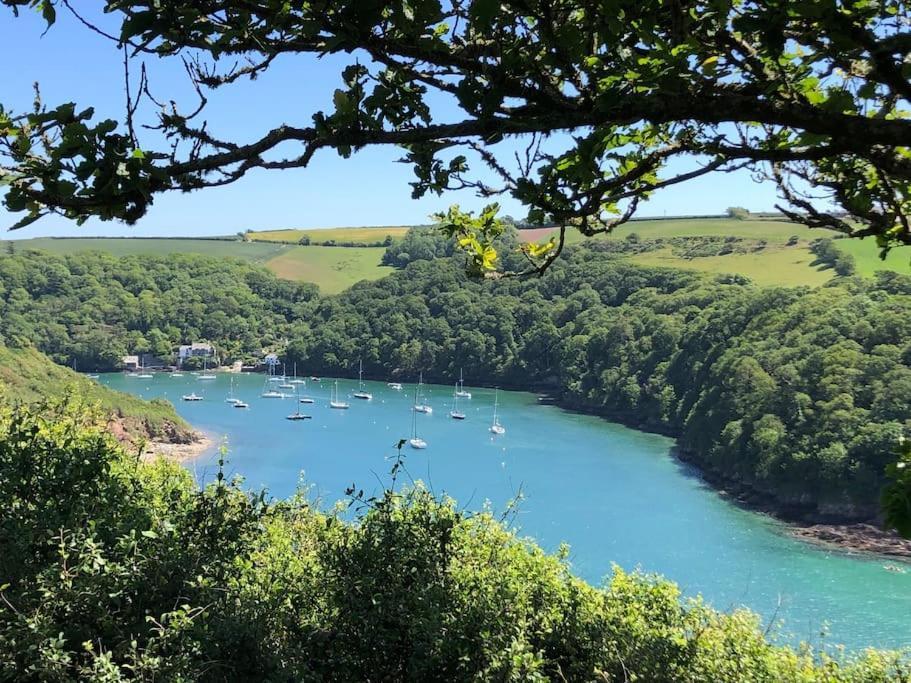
x=797 y=395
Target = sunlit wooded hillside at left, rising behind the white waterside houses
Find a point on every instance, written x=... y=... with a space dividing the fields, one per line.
x=92 y=309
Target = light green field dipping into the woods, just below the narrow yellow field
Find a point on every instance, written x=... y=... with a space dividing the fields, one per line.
x=332 y=268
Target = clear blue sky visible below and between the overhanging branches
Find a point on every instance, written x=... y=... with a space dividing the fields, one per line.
x=72 y=64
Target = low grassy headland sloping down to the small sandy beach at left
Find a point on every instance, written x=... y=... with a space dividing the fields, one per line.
x=28 y=376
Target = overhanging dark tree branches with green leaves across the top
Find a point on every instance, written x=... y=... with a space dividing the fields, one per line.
x=813 y=96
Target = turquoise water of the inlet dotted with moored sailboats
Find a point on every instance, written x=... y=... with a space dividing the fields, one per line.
x=614 y=494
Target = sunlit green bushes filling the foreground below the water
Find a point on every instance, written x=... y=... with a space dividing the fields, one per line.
x=116 y=569
